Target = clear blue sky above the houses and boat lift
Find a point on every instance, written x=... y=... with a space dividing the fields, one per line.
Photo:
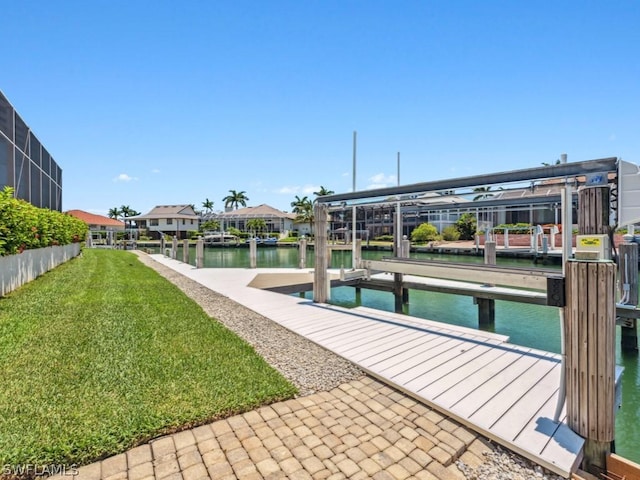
x=165 y=102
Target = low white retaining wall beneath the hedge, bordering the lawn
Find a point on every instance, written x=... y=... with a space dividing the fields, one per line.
x=16 y=270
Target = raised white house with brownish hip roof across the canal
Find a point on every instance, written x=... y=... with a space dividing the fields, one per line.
x=170 y=220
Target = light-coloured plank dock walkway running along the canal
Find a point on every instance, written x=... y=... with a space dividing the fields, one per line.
x=503 y=391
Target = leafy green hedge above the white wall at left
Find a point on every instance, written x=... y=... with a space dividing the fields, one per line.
x=24 y=227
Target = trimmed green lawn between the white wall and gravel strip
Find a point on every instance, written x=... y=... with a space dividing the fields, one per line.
x=103 y=353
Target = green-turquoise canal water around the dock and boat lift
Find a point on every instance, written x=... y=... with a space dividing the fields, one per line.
x=528 y=325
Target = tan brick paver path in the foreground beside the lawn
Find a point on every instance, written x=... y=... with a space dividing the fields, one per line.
x=360 y=430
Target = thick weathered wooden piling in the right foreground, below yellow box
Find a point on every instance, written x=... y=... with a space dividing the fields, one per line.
x=590 y=333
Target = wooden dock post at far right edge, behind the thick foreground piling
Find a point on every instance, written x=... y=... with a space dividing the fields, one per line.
x=628 y=275
